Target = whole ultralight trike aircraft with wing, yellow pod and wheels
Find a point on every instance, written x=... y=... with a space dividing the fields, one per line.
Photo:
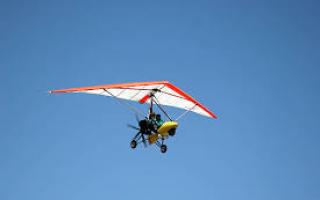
x=153 y=93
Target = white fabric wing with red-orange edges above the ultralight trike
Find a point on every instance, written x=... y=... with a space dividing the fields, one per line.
x=164 y=92
